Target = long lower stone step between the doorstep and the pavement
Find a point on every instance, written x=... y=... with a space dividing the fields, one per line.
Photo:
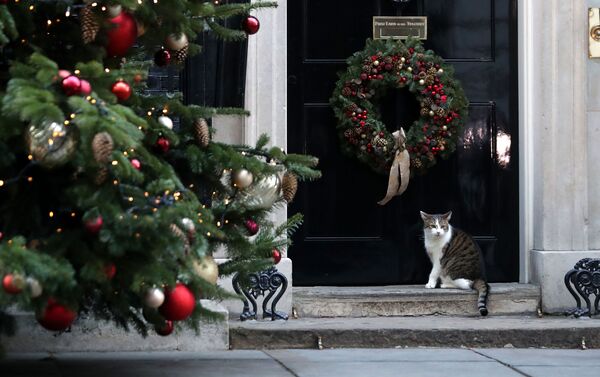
x=426 y=331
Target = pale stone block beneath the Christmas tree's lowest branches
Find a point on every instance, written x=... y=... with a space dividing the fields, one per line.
x=88 y=335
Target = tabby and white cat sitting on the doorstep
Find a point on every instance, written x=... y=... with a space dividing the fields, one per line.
x=455 y=256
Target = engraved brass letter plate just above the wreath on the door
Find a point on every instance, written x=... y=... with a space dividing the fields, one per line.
x=397 y=27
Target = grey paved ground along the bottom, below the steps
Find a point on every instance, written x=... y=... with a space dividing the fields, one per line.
x=411 y=362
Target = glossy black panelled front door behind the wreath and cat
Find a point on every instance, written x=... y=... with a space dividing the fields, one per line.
x=347 y=238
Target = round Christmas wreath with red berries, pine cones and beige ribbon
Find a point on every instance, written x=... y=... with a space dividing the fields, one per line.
x=385 y=64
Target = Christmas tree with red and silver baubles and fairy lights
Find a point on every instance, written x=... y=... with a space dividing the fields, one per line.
x=113 y=200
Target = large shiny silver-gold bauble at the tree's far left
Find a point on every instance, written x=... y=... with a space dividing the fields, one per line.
x=52 y=144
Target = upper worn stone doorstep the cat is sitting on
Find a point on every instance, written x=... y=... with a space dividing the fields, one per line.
x=411 y=300
